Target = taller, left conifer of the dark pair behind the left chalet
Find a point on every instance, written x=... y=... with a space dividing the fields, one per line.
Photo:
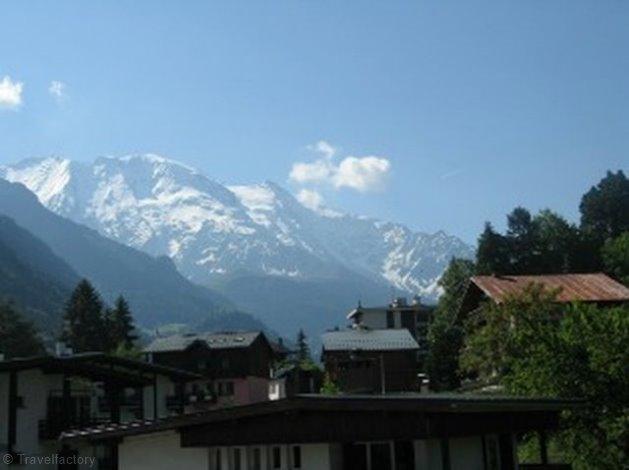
x=84 y=324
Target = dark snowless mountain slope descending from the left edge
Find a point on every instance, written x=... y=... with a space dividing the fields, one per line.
x=46 y=254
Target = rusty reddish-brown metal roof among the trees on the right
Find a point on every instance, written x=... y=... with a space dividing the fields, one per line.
x=593 y=287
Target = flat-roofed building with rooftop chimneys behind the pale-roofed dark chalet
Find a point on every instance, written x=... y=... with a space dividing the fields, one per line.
x=413 y=316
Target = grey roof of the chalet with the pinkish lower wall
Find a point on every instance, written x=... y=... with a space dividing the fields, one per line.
x=212 y=340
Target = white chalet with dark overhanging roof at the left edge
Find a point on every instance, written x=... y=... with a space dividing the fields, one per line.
x=42 y=396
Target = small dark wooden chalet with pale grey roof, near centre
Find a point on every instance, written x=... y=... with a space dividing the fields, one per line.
x=362 y=360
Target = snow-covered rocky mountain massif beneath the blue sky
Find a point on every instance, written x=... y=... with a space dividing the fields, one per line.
x=215 y=232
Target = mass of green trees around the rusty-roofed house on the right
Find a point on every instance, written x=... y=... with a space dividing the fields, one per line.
x=531 y=345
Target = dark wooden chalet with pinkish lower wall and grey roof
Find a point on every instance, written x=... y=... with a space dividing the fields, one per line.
x=237 y=366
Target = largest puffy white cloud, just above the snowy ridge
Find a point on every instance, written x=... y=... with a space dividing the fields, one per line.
x=362 y=174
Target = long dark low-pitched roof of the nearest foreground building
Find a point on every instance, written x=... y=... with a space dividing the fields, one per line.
x=322 y=406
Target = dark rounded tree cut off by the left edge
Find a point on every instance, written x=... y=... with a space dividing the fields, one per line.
x=18 y=336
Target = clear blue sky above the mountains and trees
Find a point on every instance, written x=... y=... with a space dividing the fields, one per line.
x=462 y=109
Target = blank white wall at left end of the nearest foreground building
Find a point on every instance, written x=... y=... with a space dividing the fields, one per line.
x=160 y=451
